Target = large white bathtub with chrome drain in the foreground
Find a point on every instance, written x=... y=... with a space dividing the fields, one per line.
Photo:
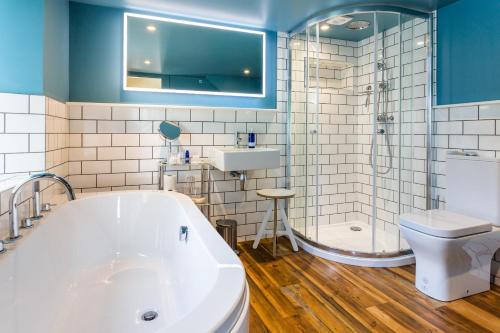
x=99 y=263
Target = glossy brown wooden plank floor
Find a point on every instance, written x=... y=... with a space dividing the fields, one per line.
x=298 y=292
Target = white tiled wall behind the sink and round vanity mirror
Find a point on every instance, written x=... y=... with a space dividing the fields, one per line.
x=117 y=147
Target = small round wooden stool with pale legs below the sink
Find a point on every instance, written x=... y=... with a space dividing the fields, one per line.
x=276 y=194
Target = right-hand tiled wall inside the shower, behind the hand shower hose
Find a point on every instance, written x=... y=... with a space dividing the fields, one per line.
x=403 y=182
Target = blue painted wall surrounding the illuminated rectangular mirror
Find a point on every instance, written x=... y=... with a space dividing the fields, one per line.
x=95 y=65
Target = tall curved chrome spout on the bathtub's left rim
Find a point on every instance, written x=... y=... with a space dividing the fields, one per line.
x=13 y=218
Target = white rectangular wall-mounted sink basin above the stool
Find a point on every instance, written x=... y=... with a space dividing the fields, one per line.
x=241 y=159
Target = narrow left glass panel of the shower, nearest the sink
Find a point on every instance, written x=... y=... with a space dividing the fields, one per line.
x=303 y=134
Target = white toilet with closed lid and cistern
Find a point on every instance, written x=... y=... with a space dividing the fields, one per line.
x=454 y=247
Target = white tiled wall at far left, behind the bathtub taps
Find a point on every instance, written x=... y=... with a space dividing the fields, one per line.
x=34 y=137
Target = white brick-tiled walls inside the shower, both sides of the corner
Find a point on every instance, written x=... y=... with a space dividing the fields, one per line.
x=344 y=130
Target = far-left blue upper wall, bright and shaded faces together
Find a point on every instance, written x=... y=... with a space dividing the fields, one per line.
x=34 y=47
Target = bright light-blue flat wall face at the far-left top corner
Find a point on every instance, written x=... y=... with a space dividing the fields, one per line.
x=21 y=46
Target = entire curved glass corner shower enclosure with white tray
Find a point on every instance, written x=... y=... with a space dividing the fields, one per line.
x=358 y=130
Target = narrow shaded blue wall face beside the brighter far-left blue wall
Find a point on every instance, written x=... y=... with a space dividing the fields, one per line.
x=56 y=49
